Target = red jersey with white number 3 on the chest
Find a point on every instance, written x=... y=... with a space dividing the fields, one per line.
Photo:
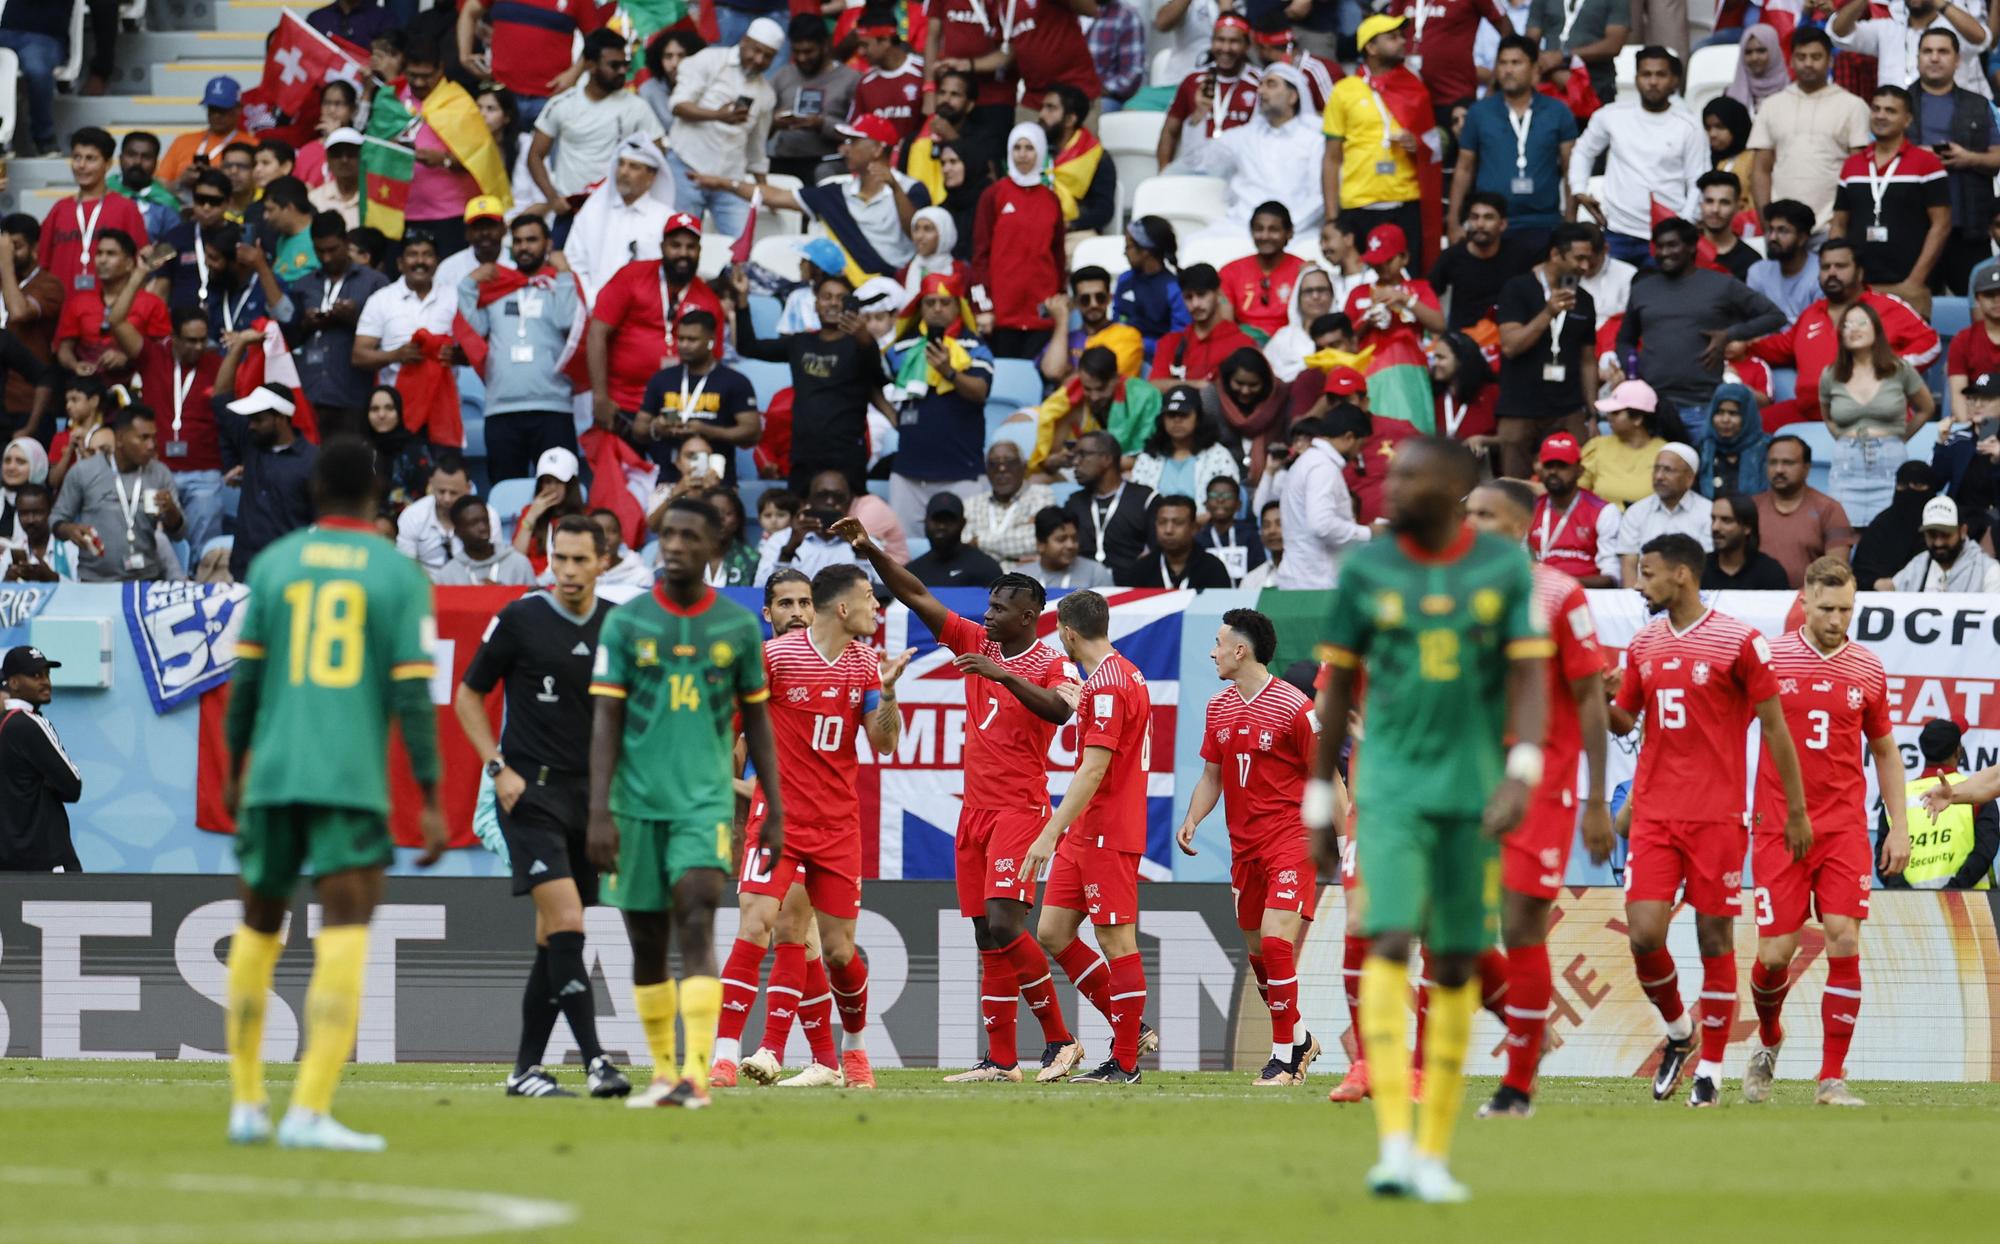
x=1833 y=705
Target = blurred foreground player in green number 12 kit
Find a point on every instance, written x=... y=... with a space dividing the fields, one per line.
x=1449 y=627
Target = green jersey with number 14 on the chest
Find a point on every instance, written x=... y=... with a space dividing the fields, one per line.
x=681 y=673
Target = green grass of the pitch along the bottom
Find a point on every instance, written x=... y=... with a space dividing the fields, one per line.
x=131 y=1153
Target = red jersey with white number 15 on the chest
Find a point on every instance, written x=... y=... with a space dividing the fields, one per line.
x=1699 y=691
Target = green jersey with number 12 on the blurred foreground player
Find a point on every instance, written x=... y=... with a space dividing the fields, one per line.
x=1437 y=635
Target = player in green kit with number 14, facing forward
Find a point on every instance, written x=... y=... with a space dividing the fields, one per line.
x=673 y=671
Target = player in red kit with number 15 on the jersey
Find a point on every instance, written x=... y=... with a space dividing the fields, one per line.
x=1699 y=677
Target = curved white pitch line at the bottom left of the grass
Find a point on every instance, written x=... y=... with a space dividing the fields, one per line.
x=453 y=1213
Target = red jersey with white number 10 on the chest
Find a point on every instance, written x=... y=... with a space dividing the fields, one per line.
x=817 y=711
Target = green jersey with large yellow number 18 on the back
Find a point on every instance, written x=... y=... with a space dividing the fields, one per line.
x=337 y=641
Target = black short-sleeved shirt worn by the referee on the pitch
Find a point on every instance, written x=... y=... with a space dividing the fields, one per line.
x=543 y=655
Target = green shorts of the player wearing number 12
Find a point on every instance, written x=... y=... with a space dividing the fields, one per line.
x=1435 y=877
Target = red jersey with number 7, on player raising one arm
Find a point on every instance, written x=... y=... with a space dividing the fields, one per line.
x=1007 y=743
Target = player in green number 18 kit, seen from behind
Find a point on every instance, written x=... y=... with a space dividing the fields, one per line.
x=335 y=643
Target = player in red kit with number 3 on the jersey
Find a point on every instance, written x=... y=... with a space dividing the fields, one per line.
x=1835 y=695
